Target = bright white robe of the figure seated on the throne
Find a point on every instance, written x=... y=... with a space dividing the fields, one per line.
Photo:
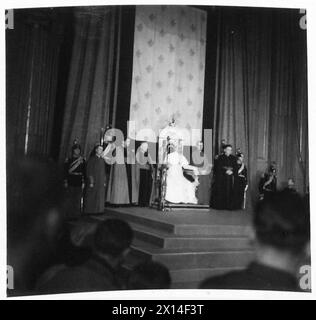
x=178 y=189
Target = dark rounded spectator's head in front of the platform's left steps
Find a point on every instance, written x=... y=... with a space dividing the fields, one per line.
x=112 y=240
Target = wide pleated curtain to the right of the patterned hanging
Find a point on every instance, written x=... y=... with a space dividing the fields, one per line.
x=261 y=104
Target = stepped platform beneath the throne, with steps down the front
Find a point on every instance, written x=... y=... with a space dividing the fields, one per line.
x=193 y=244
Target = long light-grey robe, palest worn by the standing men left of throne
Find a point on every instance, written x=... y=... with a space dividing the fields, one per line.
x=117 y=191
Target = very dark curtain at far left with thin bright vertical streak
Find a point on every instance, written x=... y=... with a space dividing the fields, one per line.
x=32 y=51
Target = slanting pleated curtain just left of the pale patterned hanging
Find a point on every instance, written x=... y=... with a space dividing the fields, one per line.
x=91 y=82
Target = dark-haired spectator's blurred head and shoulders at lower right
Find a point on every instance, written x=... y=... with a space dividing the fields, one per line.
x=281 y=224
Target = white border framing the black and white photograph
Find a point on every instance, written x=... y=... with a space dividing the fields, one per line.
x=310 y=6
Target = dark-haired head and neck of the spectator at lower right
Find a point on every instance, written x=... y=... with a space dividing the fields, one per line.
x=282 y=229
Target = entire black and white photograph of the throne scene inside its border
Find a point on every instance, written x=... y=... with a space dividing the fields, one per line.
x=157 y=147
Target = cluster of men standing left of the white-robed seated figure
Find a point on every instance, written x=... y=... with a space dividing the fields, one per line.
x=90 y=184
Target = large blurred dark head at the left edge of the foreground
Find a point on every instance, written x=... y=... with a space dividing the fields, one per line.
x=34 y=217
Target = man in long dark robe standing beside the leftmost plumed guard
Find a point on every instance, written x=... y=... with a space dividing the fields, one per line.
x=96 y=182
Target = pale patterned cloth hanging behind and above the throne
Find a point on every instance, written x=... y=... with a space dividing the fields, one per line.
x=168 y=68
